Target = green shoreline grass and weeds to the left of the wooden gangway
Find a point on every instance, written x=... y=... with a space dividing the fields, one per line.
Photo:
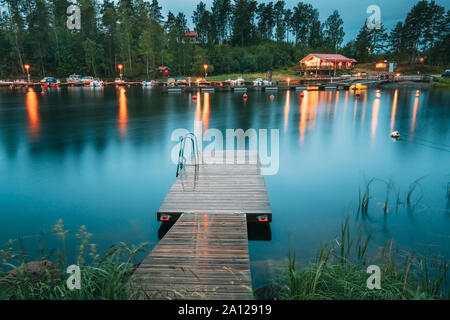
x=105 y=277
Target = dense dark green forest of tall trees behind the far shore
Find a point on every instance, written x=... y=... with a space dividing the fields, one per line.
x=235 y=36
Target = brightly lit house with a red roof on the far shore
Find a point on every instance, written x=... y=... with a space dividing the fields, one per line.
x=326 y=62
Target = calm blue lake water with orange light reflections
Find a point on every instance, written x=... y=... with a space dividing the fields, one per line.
x=101 y=158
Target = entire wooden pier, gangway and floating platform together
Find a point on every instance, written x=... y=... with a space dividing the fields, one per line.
x=205 y=253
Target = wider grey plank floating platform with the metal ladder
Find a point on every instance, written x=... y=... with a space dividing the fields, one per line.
x=226 y=182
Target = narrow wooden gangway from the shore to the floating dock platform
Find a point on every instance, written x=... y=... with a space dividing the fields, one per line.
x=201 y=257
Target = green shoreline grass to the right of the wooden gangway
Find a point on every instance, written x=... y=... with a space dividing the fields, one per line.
x=340 y=272
